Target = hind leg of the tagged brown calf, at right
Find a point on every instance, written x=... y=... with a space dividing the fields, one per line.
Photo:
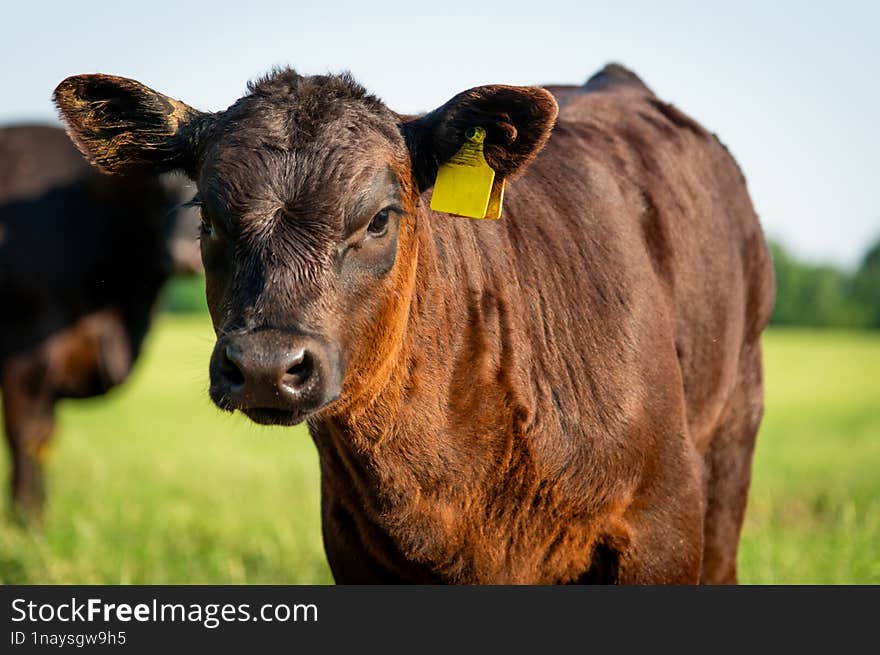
x=728 y=469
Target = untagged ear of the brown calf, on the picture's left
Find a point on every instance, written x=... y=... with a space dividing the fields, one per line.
x=122 y=126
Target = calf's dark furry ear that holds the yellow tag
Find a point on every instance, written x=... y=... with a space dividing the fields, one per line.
x=517 y=120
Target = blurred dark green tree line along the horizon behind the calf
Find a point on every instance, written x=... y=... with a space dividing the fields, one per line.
x=807 y=294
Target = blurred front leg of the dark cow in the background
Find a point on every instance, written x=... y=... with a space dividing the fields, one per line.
x=28 y=414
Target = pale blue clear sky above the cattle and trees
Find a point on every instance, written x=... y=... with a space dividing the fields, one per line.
x=793 y=88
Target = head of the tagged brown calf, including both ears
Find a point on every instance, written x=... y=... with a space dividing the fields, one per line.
x=309 y=190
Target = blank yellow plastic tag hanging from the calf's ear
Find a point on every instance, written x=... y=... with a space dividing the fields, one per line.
x=466 y=184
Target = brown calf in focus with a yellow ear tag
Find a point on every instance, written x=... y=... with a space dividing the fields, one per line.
x=569 y=394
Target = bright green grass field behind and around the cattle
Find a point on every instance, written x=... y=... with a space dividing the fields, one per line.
x=152 y=485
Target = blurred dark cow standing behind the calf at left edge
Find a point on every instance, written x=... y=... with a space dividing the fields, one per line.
x=82 y=258
